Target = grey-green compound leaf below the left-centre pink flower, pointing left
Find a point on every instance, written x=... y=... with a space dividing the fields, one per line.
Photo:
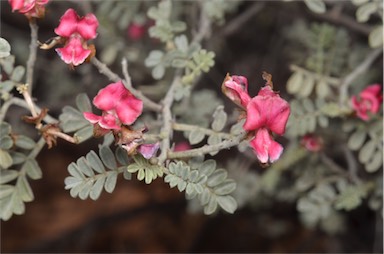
x=90 y=174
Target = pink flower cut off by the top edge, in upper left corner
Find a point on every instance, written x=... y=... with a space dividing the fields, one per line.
x=30 y=8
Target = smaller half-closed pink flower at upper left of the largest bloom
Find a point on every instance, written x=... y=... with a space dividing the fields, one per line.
x=236 y=89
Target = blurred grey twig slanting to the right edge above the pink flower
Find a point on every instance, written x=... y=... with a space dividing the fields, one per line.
x=360 y=69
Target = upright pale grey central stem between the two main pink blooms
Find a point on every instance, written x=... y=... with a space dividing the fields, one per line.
x=166 y=131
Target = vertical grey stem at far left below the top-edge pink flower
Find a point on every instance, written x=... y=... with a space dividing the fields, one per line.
x=32 y=54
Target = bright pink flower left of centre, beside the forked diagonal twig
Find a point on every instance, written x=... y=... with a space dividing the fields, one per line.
x=119 y=106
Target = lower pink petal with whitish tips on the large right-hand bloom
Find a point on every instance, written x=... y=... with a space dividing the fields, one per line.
x=265 y=147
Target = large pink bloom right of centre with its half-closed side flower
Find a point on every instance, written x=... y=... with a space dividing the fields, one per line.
x=266 y=113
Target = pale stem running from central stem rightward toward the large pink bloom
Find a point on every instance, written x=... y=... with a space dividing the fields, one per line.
x=207 y=148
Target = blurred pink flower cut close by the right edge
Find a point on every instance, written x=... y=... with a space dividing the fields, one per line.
x=369 y=101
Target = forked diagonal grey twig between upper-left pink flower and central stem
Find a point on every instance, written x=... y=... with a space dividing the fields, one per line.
x=103 y=69
